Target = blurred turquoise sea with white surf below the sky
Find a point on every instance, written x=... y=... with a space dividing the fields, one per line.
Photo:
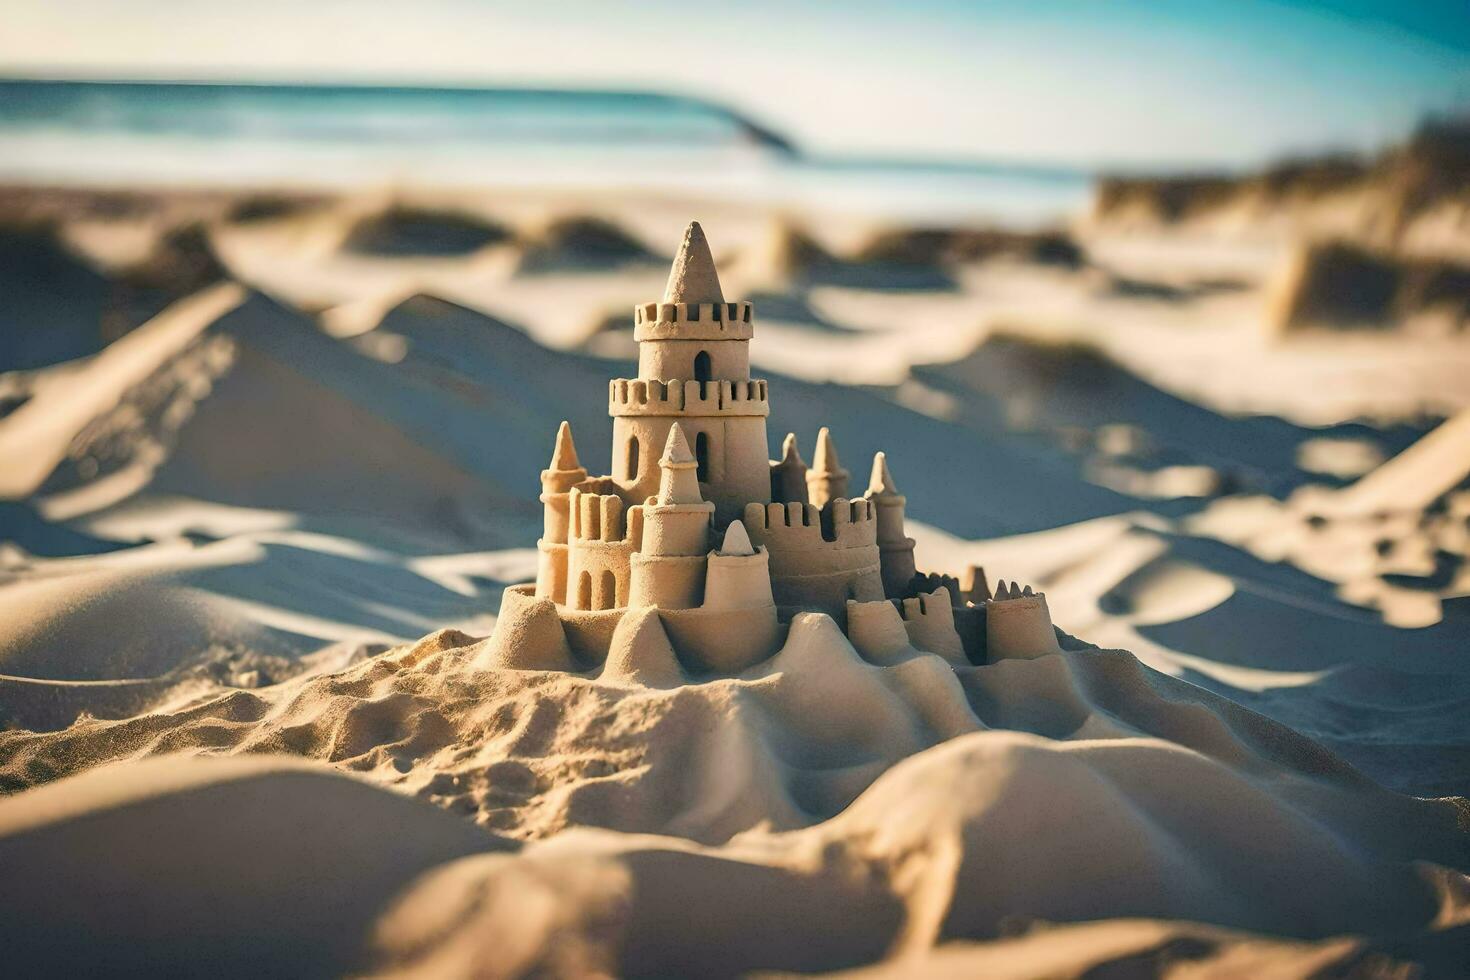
x=320 y=136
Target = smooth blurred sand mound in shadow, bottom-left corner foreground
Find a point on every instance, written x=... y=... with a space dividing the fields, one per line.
x=230 y=868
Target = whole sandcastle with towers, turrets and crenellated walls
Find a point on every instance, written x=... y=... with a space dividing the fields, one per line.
x=699 y=552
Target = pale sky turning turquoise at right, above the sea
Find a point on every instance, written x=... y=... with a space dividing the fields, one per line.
x=1078 y=83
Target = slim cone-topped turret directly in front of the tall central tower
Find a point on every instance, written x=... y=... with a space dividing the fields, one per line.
x=670 y=568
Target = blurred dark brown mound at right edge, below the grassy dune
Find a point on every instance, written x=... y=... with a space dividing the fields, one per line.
x=1338 y=286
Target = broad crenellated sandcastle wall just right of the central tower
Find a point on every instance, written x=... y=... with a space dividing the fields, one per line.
x=820 y=559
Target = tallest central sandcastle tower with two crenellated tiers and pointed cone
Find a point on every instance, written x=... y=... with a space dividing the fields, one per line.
x=693 y=370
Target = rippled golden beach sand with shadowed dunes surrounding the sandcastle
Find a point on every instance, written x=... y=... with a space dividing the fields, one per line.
x=257 y=521
